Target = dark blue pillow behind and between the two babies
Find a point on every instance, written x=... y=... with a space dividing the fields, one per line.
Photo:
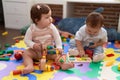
x=71 y=25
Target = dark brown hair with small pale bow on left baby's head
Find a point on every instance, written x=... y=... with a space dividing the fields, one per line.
x=37 y=10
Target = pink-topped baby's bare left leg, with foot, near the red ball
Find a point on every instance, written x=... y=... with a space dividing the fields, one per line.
x=28 y=57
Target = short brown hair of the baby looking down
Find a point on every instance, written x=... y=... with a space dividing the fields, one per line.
x=95 y=19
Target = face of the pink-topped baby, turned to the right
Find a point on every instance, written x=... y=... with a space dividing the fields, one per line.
x=45 y=20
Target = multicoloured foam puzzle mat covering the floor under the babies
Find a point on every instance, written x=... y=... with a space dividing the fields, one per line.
x=105 y=70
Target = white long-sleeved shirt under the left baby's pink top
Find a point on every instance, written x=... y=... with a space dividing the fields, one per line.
x=28 y=36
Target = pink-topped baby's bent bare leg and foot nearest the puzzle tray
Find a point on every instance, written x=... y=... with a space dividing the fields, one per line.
x=64 y=63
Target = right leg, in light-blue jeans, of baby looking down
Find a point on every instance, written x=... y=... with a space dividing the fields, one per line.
x=98 y=54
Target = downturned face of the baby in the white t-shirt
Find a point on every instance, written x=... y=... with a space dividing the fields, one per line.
x=92 y=31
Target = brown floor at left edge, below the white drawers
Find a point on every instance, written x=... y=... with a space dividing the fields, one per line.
x=8 y=38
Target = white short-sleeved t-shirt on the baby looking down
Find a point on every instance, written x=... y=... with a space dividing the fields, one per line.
x=85 y=38
